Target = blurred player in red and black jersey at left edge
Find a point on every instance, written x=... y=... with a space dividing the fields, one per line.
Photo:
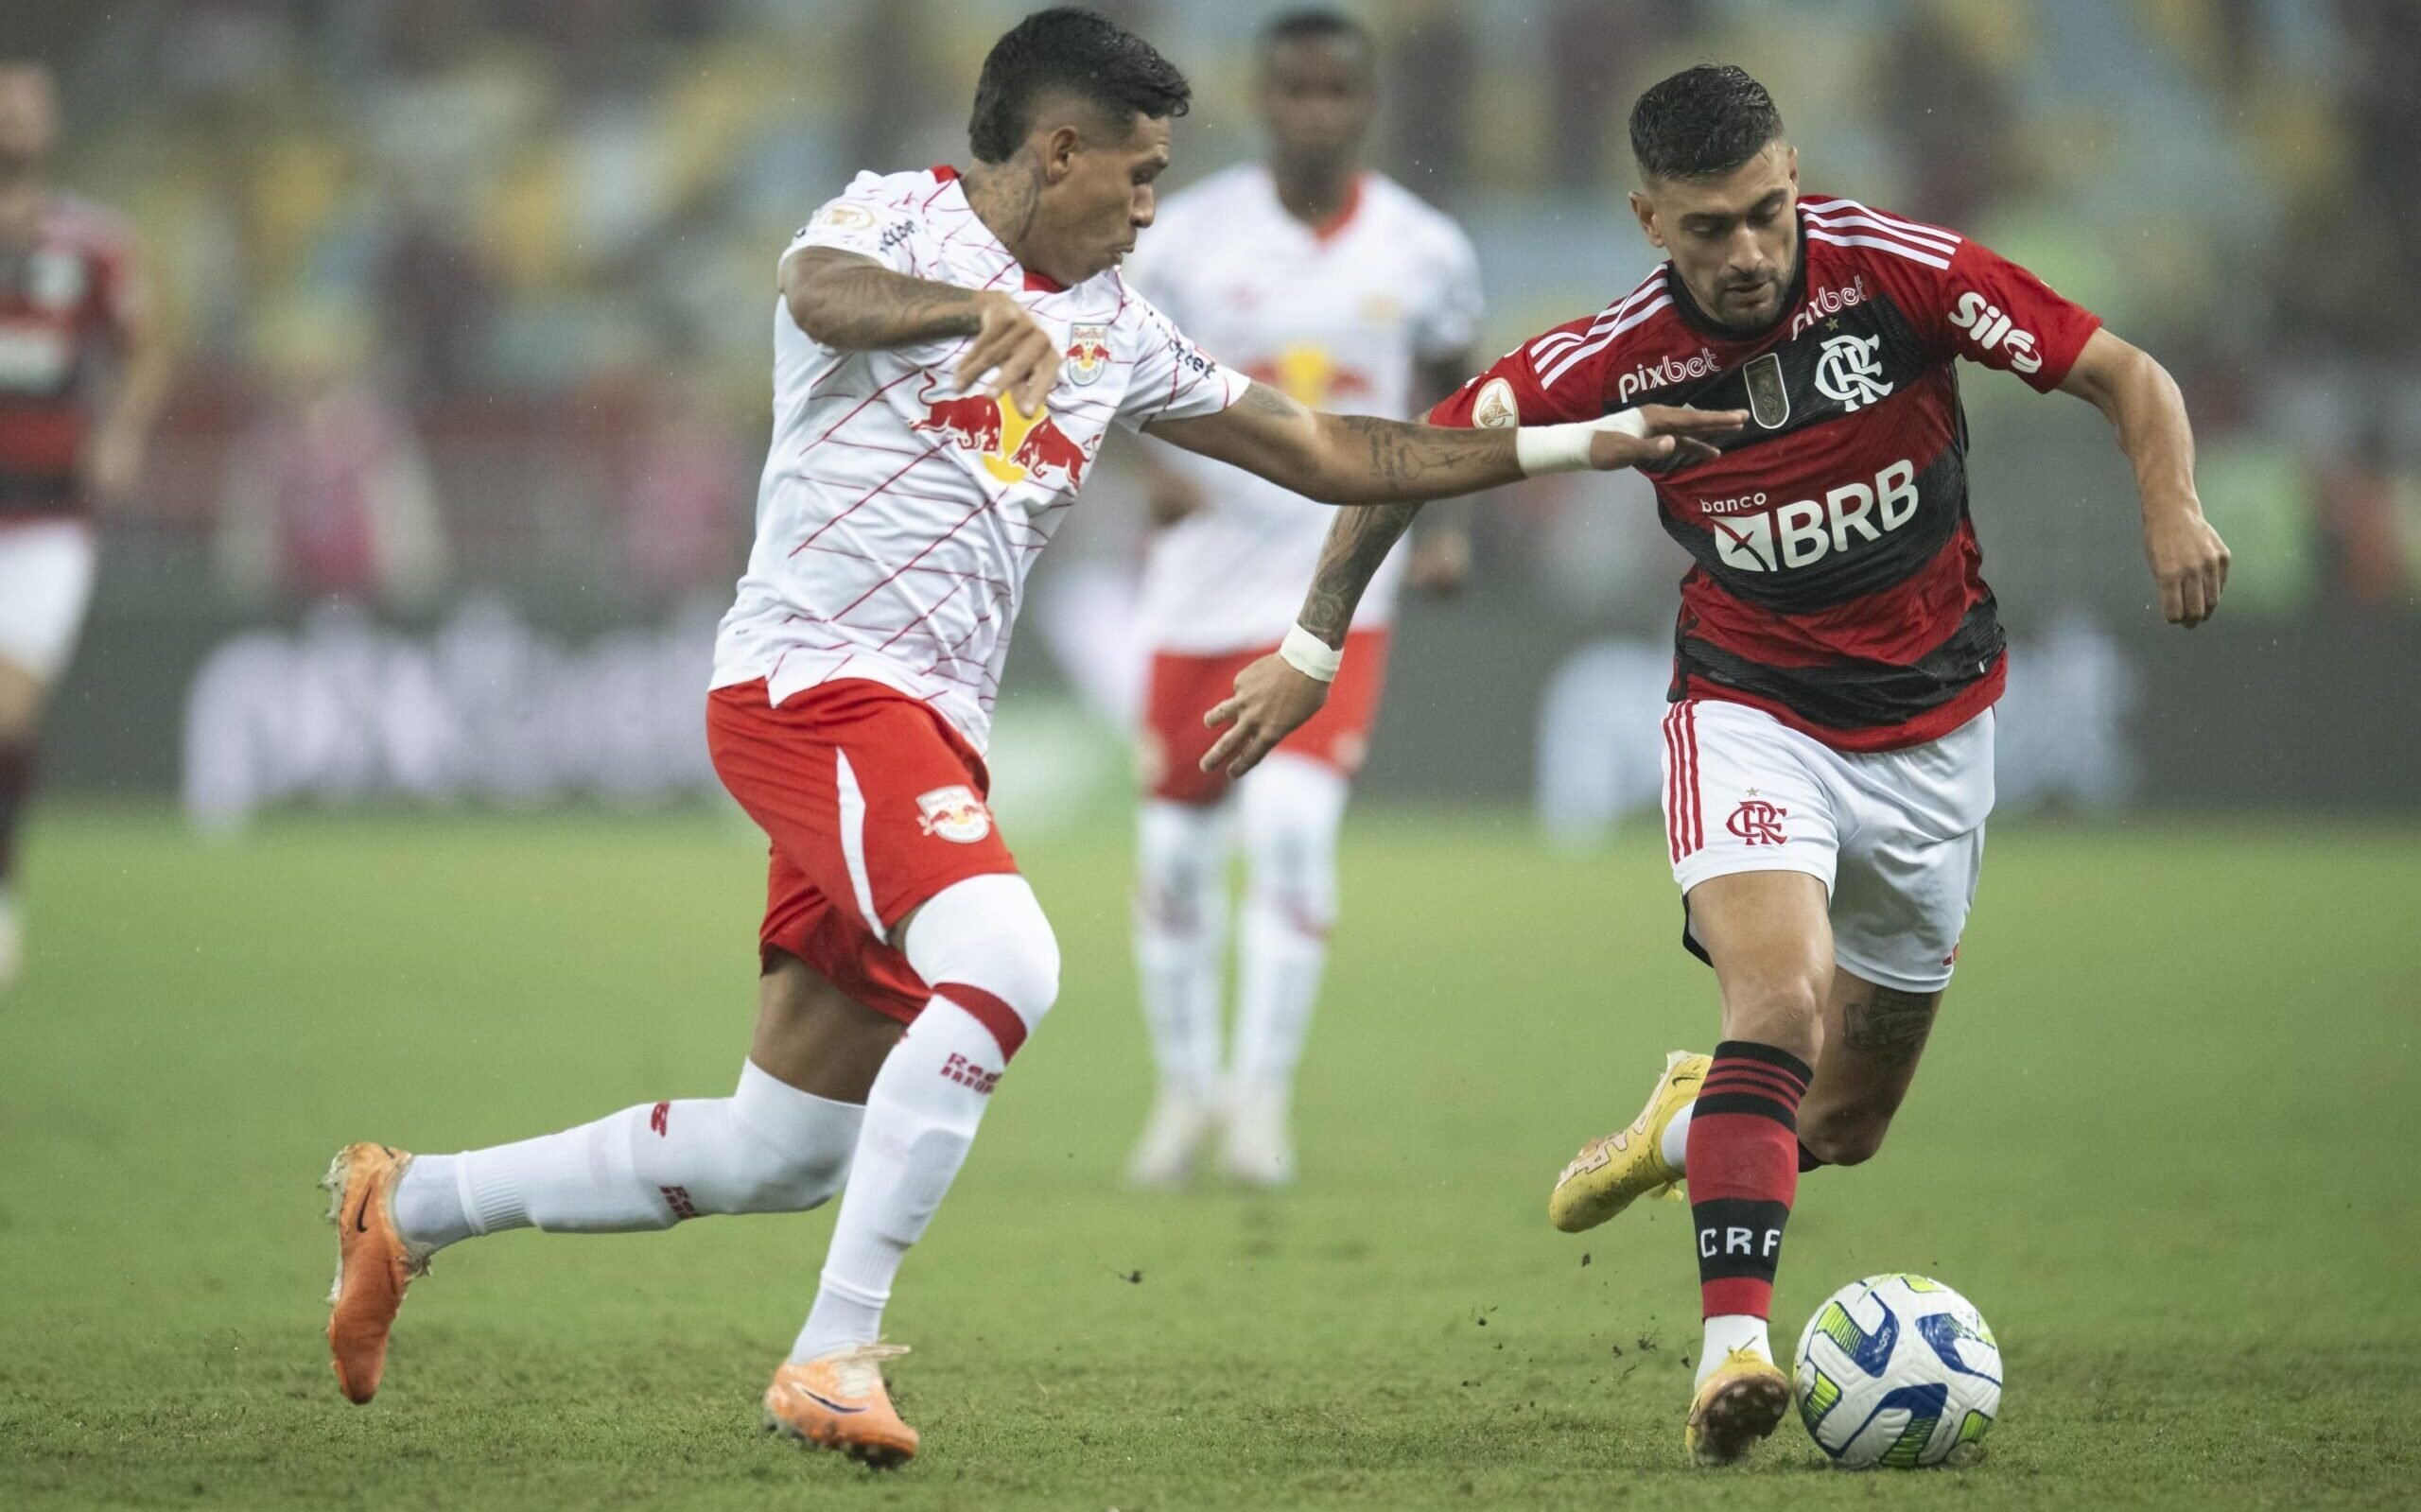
x=84 y=376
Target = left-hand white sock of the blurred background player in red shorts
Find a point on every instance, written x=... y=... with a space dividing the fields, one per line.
x=1180 y=940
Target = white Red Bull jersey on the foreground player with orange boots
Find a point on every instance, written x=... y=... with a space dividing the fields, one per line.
x=897 y=519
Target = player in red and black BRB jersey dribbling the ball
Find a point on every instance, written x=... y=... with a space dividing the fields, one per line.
x=1829 y=746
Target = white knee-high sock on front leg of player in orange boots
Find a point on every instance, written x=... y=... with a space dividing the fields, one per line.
x=989 y=942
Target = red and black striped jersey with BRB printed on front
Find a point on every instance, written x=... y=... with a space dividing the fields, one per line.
x=1836 y=572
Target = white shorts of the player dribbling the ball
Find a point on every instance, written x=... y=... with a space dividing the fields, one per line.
x=1894 y=836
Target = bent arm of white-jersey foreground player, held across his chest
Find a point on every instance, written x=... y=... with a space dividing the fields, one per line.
x=856 y=304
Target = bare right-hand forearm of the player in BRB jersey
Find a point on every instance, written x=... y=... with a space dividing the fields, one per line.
x=2141 y=400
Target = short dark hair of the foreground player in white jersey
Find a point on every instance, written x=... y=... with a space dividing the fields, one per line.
x=1071 y=52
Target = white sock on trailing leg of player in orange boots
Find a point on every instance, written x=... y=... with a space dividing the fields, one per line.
x=769 y=1148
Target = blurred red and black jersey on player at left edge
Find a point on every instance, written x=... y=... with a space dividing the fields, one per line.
x=64 y=296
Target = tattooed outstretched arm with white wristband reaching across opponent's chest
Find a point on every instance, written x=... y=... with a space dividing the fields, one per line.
x=1355 y=458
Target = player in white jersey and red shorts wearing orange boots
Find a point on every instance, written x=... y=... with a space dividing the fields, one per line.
x=950 y=352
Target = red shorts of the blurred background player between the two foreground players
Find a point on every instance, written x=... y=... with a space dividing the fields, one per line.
x=1185 y=688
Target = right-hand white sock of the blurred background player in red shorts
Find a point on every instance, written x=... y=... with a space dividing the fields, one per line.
x=1292 y=812
